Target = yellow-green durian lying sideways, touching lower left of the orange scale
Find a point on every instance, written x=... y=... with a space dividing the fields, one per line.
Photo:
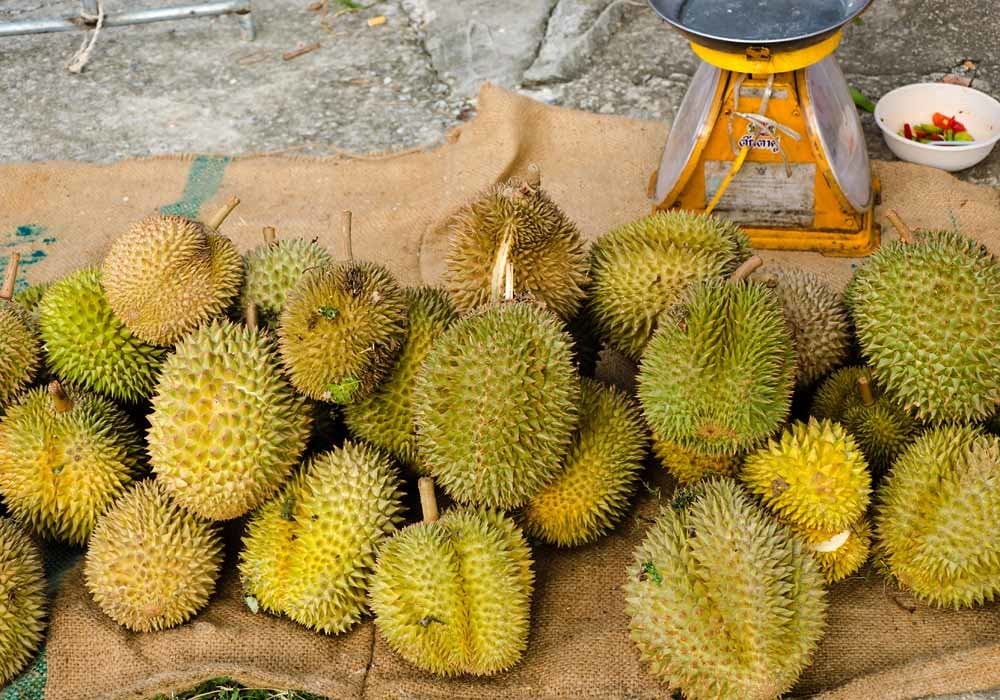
x=641 y=269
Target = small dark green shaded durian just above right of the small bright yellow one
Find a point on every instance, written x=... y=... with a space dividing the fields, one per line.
x=879 y=425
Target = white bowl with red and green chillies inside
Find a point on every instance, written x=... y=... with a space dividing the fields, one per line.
x=915 y=104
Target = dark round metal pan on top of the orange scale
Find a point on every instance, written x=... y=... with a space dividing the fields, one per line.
x=733 y=25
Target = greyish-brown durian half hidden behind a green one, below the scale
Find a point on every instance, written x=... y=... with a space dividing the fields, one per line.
x=817 y=319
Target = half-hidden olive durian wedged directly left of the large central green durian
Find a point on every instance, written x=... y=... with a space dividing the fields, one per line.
x=386 y=418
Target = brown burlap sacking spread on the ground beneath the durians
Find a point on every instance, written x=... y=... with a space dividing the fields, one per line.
x=880 y=642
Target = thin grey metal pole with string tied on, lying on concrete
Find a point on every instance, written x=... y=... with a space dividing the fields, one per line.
x=210 y=9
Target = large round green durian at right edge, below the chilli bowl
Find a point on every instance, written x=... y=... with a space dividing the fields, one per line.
x=927 y=315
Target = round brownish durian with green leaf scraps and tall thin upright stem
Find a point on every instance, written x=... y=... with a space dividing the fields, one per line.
x=342 y=329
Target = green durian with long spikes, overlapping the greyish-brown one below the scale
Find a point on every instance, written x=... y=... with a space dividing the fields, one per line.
x=718 y=375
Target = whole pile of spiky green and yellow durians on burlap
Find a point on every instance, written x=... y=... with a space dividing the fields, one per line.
x=180 y=385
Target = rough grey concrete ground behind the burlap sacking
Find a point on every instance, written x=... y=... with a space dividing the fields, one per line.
x=194 y=86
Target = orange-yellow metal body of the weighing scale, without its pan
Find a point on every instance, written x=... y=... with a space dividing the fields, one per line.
x=835 y=228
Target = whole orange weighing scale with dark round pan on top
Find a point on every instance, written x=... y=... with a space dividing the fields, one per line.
x=768 y=134
